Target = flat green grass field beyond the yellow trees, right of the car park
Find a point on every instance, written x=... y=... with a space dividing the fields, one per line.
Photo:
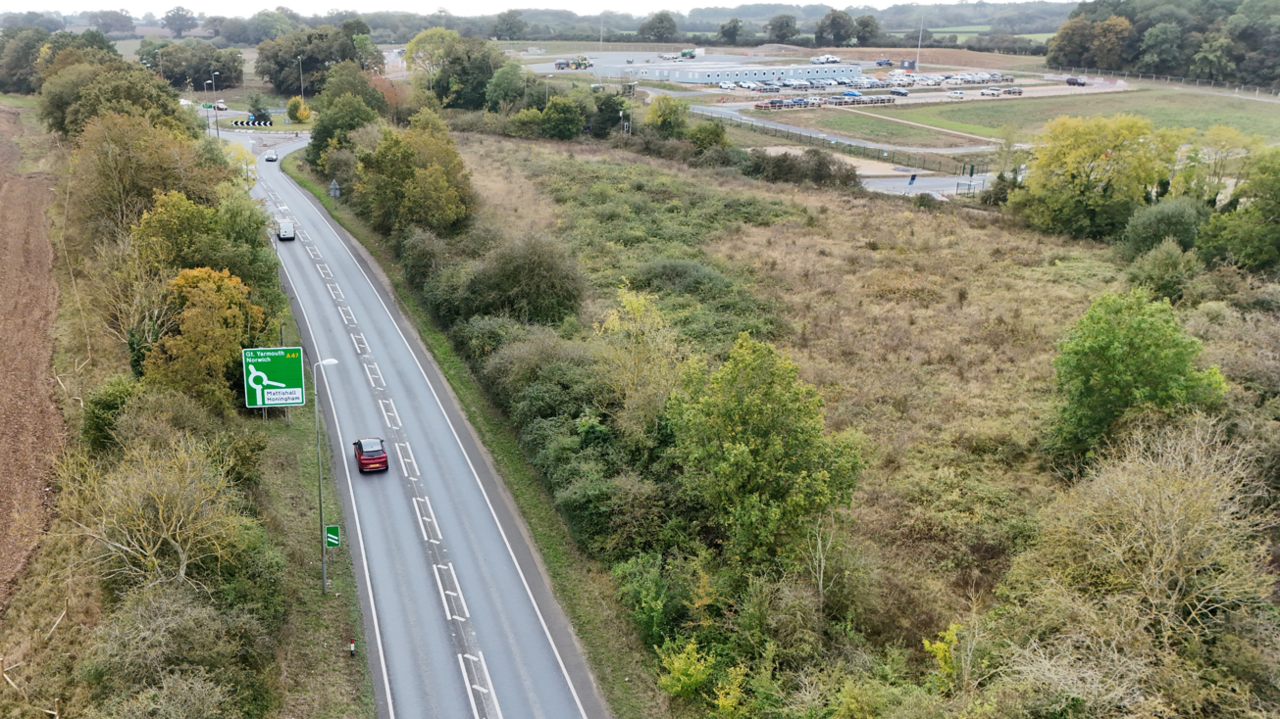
x=1165 y=108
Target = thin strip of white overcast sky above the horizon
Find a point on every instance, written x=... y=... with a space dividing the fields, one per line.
x=246 y=8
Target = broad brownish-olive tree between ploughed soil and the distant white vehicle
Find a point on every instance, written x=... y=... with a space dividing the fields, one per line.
x=121 y=162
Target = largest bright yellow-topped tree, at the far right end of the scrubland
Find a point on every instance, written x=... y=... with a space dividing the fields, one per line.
x=1089 y=175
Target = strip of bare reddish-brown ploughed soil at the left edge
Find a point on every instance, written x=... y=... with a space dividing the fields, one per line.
x=30 y=422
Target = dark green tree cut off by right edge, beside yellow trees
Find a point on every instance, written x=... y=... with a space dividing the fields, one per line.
x=1250 y=236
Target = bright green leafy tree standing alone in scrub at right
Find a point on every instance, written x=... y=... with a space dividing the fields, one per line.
x=1126 y=354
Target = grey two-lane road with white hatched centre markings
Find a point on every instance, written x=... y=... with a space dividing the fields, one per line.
x=459 y=617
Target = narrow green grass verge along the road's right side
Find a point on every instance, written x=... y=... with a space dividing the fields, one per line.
x=583 y=587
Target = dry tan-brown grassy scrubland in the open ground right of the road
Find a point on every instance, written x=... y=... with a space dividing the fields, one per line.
x=931 y=333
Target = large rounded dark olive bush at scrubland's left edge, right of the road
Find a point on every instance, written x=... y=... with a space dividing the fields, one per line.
x=533 y=281
